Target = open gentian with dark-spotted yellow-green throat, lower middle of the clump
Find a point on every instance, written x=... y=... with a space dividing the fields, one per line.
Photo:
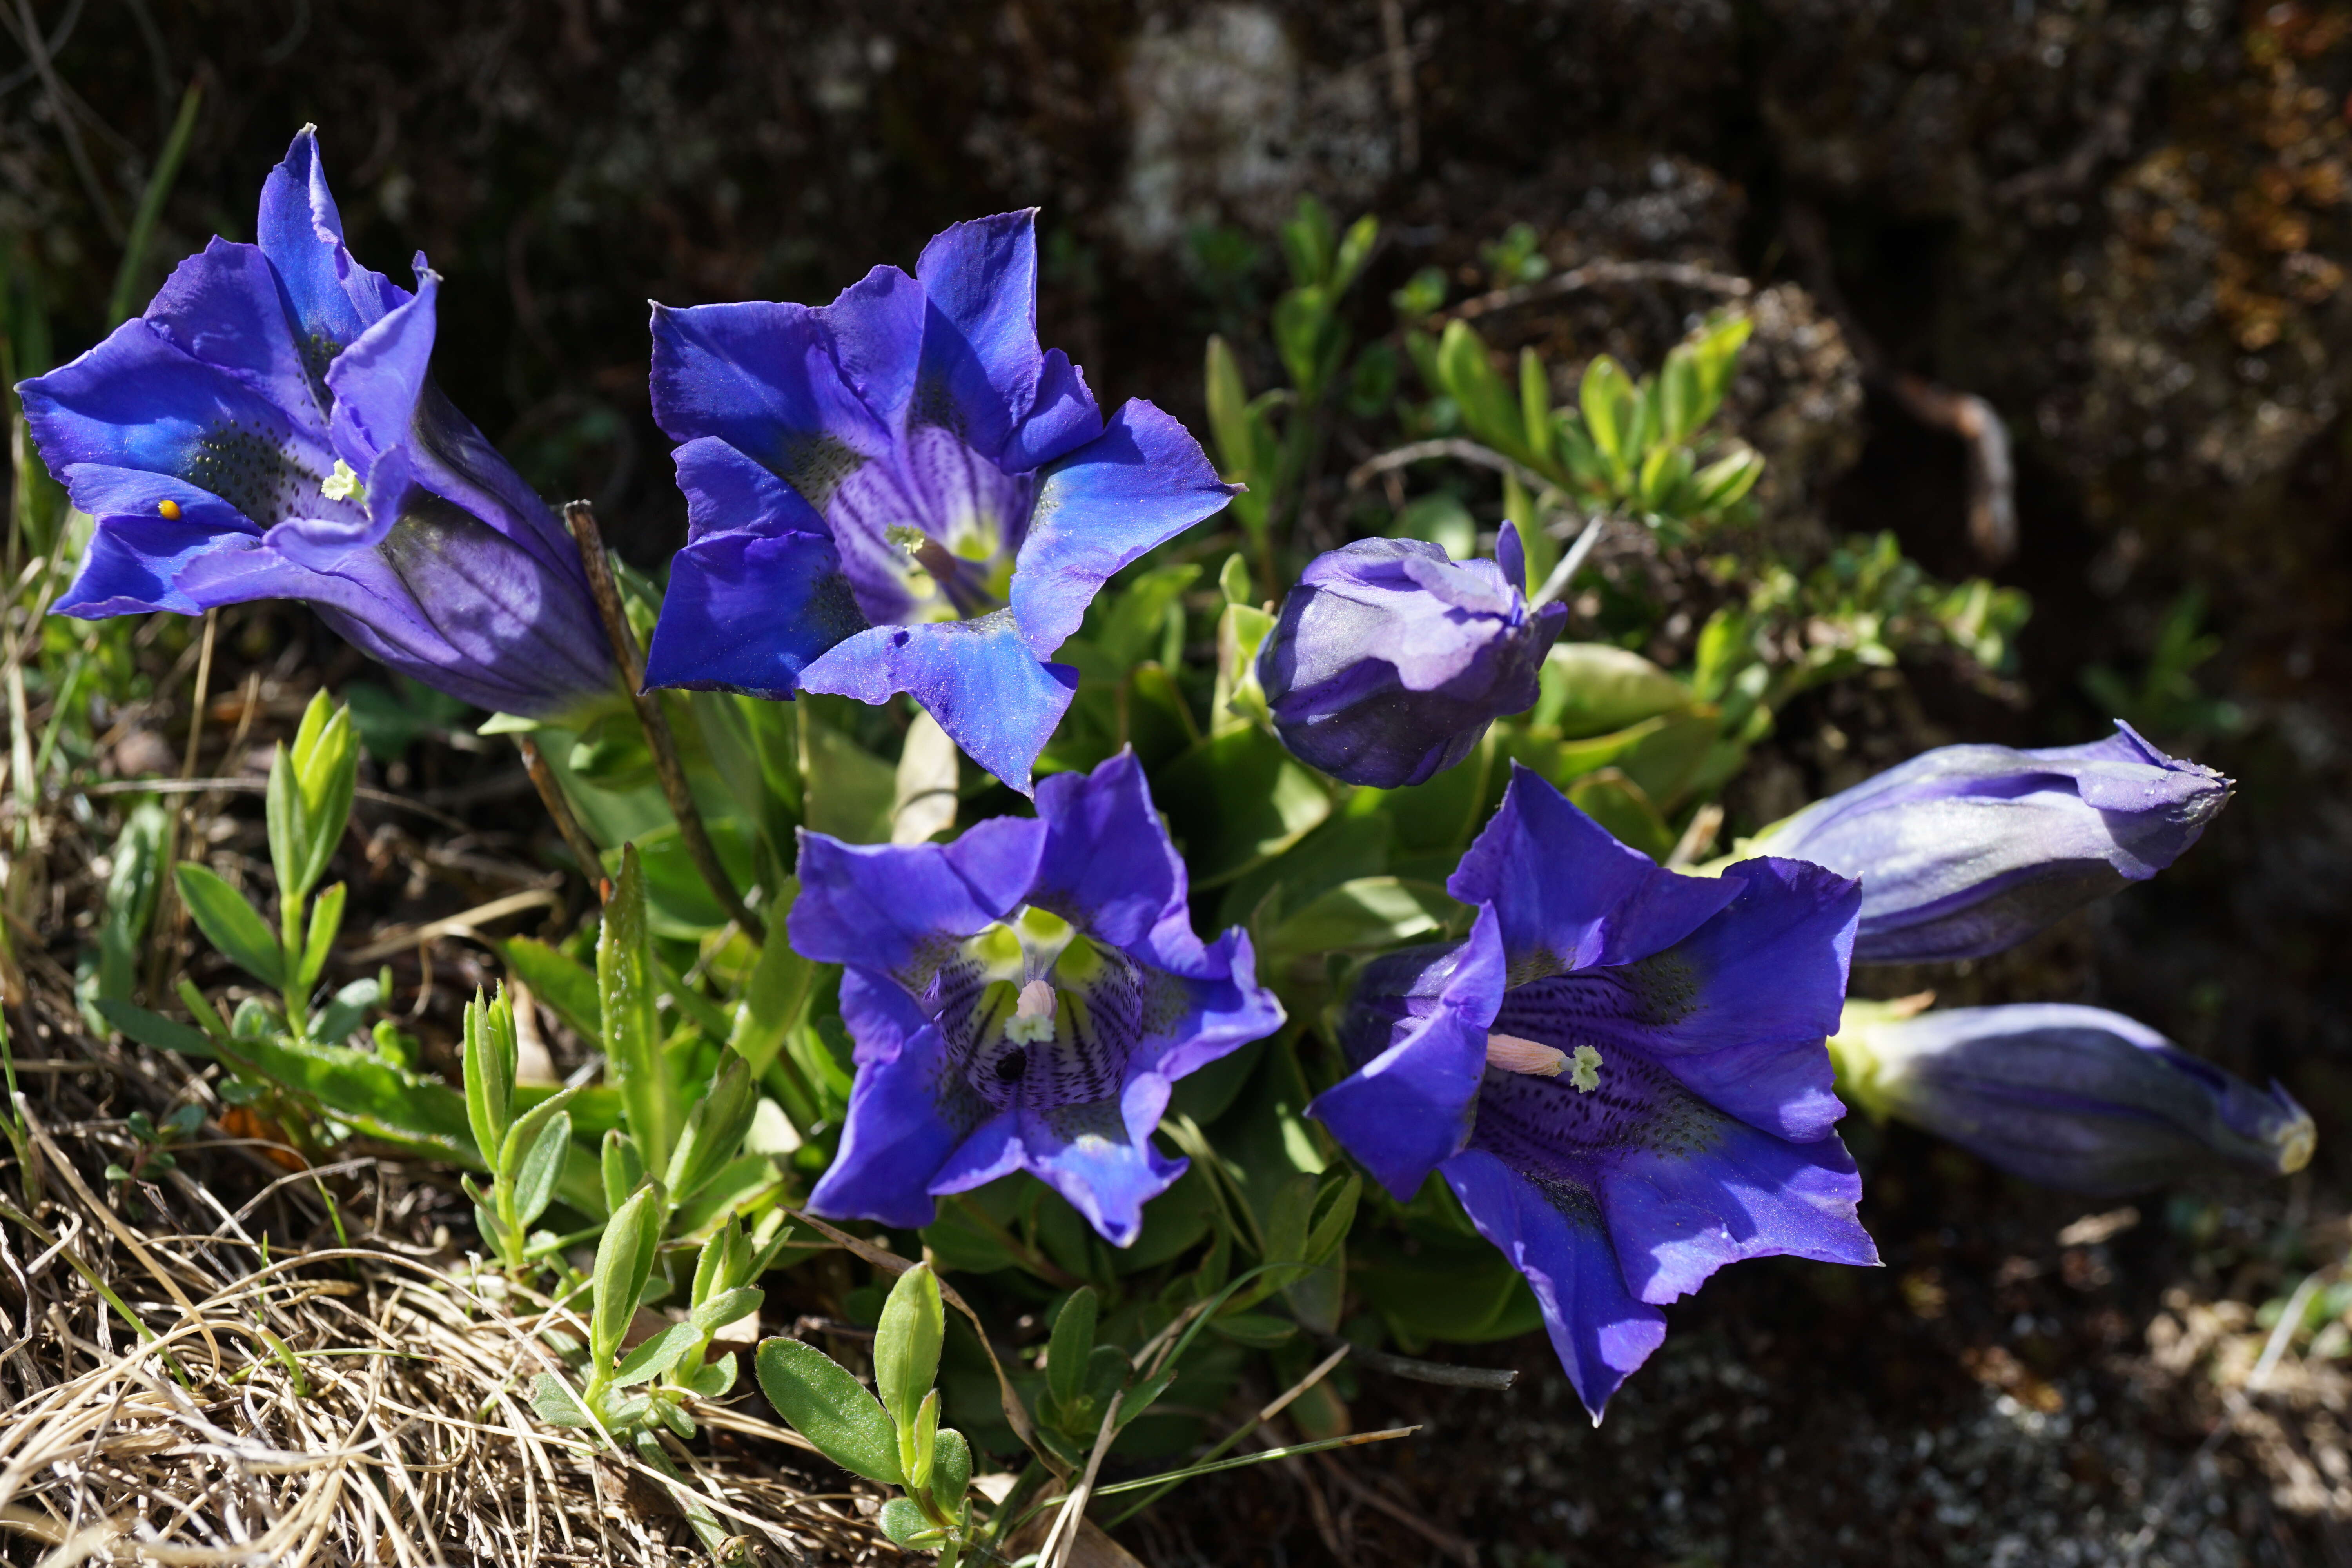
x=1022 y=998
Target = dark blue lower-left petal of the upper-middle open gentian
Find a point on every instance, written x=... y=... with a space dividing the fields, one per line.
x=749 y=612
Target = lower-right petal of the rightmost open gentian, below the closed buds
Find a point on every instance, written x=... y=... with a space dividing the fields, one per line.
x=1683 y=1214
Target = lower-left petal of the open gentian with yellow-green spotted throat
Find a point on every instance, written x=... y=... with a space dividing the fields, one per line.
x=907 y=1111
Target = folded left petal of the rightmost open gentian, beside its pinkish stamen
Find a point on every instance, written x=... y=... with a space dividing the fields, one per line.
x=1412 y=1106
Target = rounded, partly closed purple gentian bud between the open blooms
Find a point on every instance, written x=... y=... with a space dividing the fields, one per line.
x=1391 y=659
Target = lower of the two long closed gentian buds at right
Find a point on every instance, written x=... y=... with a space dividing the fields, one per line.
x=2066 y=1097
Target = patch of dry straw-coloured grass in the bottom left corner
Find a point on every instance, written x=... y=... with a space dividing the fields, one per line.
x=232 y=1362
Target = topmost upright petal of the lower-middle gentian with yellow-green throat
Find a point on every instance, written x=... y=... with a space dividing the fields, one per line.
x=1109 y=864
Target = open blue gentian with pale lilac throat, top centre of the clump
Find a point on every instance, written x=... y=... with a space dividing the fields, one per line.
x=900 y=492
